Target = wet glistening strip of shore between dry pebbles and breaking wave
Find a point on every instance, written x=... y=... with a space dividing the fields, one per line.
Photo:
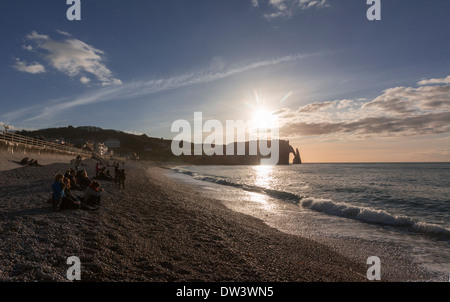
x=398 y=261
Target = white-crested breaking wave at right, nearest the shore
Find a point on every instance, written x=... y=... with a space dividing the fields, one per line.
x=373 y=216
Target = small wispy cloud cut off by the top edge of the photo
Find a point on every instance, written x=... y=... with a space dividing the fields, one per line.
x=287 y=8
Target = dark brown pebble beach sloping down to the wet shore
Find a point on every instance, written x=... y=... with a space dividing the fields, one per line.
x=155 y=230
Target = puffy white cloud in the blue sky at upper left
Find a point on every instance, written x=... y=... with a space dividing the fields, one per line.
x=73 y=57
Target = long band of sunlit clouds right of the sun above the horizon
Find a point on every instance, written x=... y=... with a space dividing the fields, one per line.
x=398 y=111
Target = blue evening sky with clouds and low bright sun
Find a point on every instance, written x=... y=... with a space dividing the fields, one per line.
x=343 y=88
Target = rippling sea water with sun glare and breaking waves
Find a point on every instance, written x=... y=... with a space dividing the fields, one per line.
x=406 y=205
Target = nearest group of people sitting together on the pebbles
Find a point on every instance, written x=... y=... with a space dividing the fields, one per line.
x=62 y=197
